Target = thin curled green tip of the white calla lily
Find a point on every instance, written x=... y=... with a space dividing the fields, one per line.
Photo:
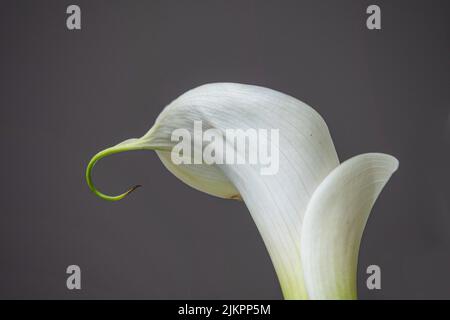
x=97 y=157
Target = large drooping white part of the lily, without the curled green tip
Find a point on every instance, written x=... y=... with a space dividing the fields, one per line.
x=277 y=203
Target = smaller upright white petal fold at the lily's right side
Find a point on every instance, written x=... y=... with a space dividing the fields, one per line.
x=334 y=223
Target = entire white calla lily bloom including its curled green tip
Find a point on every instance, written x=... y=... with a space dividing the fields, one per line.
x=311 y=214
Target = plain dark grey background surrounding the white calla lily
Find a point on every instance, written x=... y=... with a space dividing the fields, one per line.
x=67 y=94
